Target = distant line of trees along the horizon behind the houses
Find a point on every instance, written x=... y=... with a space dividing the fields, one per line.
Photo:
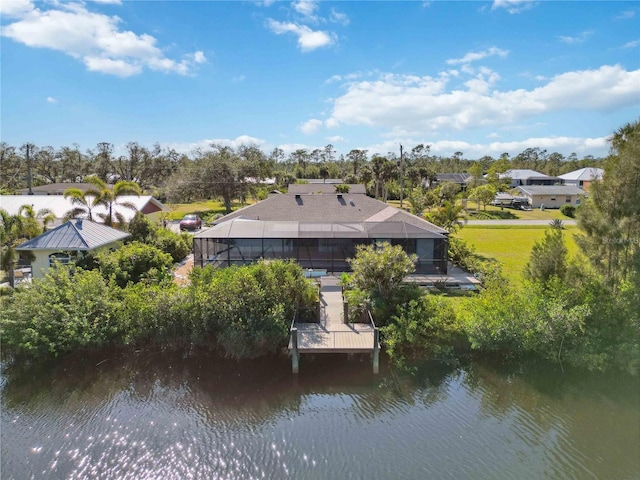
x=235 y=173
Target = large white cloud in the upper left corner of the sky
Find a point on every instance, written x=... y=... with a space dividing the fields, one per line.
x=93 y=38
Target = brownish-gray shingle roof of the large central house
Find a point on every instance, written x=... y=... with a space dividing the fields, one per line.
x=328 y=209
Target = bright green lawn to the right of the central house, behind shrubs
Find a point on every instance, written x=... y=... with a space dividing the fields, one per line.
x=511 y=245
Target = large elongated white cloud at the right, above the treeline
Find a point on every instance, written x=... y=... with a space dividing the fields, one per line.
x=425 y=104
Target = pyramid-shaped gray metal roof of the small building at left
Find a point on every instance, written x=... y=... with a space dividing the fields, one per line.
x=75 y=235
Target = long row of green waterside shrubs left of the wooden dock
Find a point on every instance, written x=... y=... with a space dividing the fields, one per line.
x=243 y=312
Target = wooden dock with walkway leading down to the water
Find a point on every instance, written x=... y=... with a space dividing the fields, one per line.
x=331 y=334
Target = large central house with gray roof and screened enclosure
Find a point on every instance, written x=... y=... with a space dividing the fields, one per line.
x=319 y=232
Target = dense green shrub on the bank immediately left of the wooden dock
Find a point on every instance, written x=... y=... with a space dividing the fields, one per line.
x=248 y=310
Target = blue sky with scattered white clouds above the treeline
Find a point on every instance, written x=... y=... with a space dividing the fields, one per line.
x=481 y=78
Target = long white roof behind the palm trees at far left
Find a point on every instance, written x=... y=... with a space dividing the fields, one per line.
x=60 y=206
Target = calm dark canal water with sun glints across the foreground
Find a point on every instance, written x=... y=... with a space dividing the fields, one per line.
x=167 y=416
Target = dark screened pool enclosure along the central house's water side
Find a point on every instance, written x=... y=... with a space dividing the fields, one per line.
x=314 y=245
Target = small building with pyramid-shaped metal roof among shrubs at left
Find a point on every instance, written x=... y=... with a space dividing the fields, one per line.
x=68 y=241
